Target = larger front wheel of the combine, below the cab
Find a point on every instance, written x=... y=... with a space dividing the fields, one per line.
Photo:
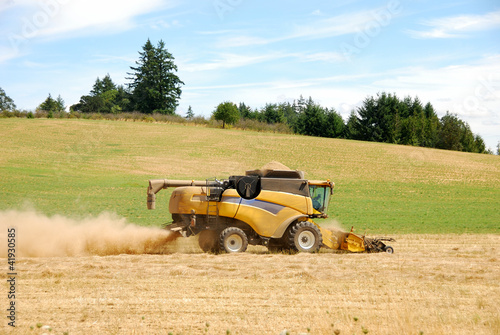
x=304 y=236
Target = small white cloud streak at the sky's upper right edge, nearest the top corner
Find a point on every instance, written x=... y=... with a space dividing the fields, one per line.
x=457 y=26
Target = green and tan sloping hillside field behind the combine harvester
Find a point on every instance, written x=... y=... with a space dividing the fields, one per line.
x=81 y=167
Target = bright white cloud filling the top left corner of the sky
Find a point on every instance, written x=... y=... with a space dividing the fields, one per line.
x=53 y=19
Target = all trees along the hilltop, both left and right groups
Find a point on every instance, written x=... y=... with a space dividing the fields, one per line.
x=154 y=88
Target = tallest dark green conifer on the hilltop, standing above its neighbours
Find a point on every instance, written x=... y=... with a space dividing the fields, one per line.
x=155 y=86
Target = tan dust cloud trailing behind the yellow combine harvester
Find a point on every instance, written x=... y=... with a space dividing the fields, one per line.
x=38 y=235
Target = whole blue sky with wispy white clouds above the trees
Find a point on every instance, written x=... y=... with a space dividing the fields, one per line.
x=257 y=52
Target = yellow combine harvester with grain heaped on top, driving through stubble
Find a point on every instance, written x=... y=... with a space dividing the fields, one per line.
x=269 y=207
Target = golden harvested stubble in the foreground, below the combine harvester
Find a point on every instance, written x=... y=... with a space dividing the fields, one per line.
x=432 y=284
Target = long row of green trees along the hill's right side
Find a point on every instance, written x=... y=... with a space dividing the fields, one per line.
x=382 y=118
